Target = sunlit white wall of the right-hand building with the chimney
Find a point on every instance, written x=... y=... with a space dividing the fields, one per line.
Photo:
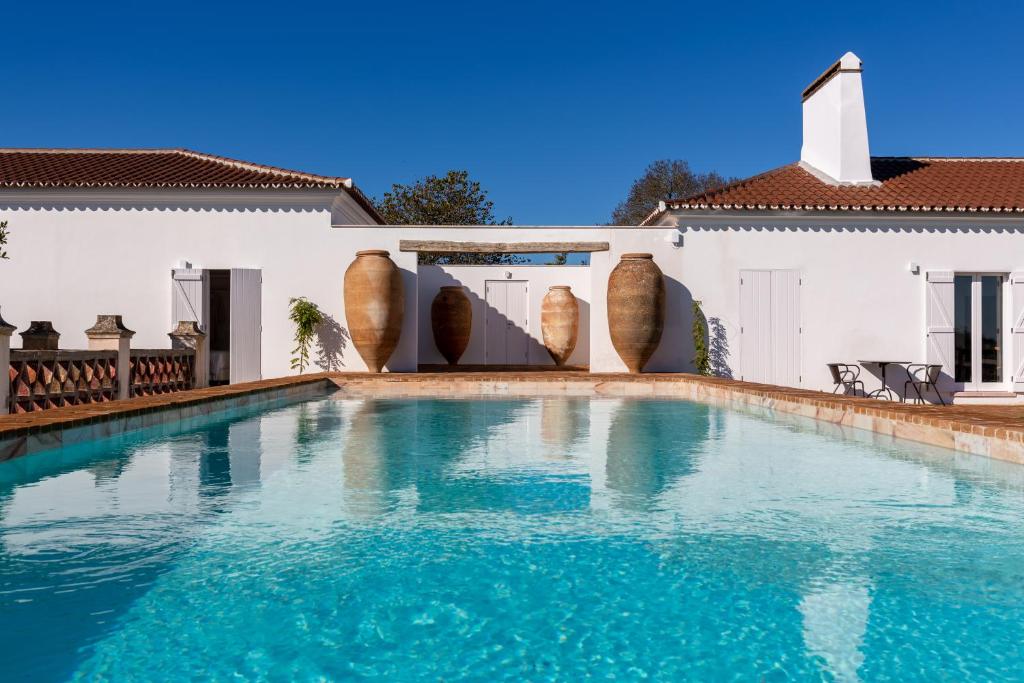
x=859 y=298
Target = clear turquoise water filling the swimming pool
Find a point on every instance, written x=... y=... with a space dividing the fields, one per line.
x=520 y=540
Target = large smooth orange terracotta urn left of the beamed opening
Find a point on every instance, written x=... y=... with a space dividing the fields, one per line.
x=374 y=305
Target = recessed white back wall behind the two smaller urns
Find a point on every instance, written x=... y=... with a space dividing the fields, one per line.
x=474 y=278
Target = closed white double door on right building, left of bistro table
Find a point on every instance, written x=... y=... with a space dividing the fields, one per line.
x=770 y=327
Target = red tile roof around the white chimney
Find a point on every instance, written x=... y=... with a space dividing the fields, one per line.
x=904 y=184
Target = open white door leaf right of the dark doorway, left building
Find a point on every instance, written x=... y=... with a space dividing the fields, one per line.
x=247 y=328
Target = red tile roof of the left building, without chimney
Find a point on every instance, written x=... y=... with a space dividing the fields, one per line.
x=31 y=169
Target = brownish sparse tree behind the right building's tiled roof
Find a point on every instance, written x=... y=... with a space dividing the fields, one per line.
x=664 y=180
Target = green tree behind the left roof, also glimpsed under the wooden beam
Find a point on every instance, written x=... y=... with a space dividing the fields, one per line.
x=453 y=199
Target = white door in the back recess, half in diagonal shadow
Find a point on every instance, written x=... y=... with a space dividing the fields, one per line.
x=505 y=333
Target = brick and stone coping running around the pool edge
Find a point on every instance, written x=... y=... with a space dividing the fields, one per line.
x=994 y=432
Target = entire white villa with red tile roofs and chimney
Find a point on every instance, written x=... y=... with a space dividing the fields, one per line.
x=839 y=258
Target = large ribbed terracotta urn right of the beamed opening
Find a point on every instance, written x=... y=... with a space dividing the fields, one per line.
x=636 y=309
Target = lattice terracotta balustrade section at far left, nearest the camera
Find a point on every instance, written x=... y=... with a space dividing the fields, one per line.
x=41 y=380
